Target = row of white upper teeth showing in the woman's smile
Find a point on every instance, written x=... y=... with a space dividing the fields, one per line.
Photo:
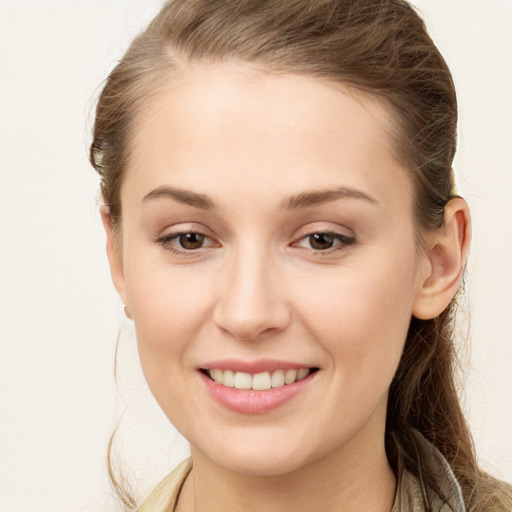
x=260 y=381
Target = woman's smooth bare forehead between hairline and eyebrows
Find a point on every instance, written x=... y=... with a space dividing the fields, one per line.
x=213 y=124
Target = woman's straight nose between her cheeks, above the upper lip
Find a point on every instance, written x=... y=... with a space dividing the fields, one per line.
x=251 y=301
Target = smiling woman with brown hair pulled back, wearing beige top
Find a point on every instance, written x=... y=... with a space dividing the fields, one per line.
x=283 y=229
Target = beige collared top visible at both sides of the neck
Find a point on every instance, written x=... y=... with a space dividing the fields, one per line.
x=409 y=494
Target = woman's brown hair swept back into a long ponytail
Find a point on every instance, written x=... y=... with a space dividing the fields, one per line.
x=381 y=47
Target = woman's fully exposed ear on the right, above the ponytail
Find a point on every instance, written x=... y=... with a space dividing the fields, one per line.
x=445 y=255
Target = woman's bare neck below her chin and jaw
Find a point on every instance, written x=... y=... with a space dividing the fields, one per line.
x=355 y=477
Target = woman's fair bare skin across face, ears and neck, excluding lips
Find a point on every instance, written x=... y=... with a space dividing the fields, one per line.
x=258 y=289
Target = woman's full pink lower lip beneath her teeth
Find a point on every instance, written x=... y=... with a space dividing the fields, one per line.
x=249 y=401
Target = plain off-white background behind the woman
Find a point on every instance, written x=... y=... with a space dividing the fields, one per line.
x=59 y=314
